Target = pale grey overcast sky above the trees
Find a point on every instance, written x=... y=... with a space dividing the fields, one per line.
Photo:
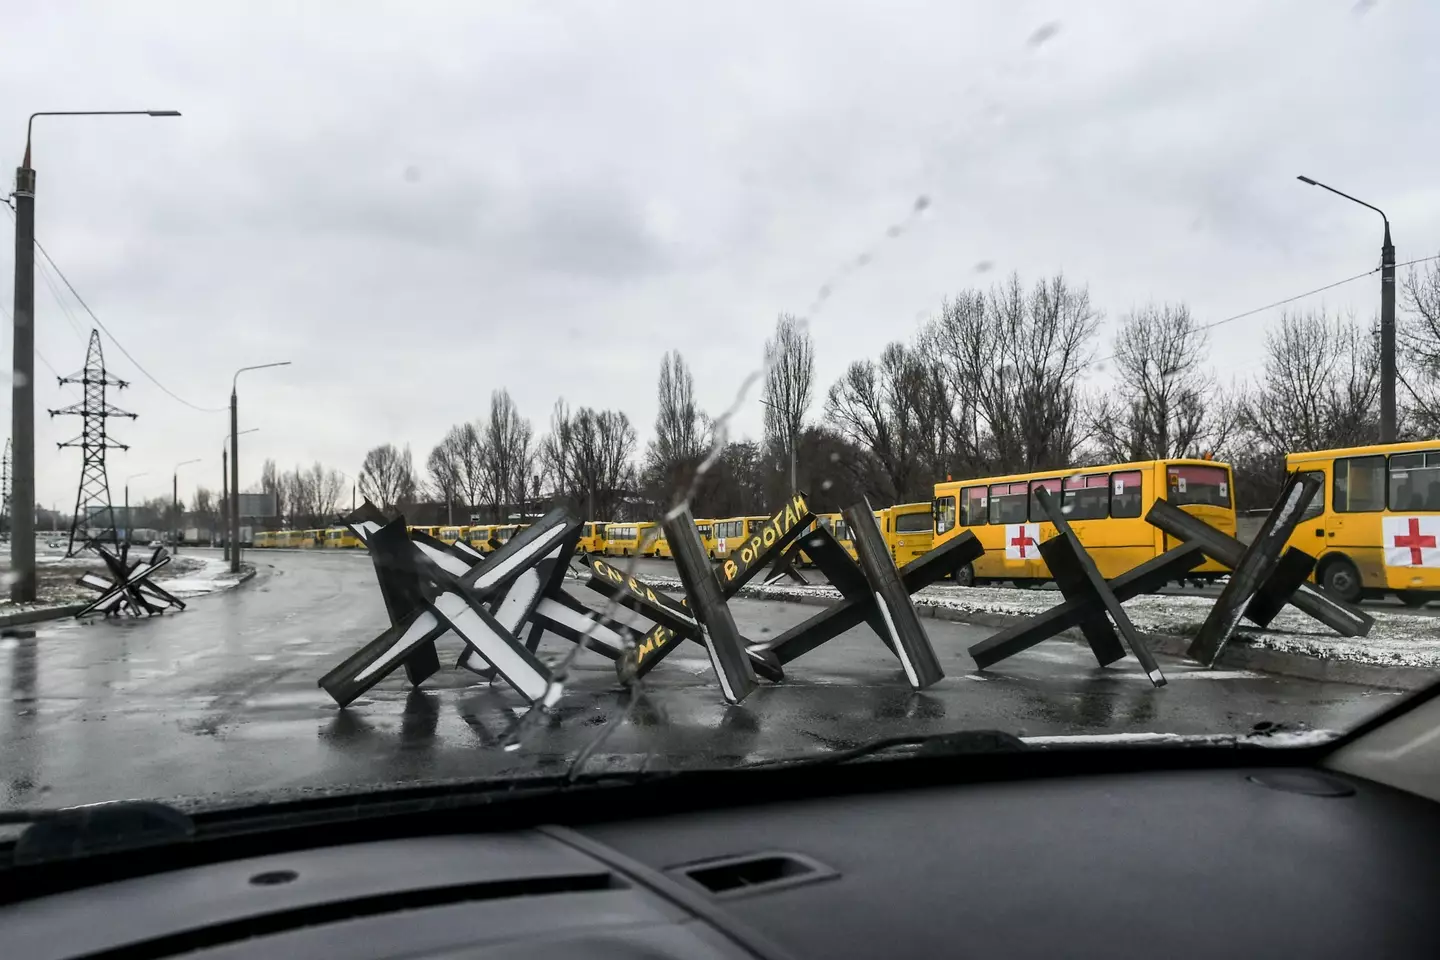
x=421 y=202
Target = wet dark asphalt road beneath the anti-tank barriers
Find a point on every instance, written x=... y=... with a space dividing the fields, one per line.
x=221 y=700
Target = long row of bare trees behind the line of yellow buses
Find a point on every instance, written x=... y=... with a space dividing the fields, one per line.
x=993 y=384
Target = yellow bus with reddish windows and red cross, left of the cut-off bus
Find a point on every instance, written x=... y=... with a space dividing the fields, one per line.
x=1107 y=506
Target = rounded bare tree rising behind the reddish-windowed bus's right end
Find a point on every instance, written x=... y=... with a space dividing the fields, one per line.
x=1163 y=399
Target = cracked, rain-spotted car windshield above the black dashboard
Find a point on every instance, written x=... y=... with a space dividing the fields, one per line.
x=483 y=394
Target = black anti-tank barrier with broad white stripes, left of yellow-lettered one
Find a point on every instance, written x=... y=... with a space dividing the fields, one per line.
x=434 y=589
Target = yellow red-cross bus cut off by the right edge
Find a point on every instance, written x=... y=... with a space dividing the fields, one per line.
x=1376 y=525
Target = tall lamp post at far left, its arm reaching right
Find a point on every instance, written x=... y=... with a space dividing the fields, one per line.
x=22 y=382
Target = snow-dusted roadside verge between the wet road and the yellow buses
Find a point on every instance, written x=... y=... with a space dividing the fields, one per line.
x=1398 y=640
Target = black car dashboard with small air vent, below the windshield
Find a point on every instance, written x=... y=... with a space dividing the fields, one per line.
x=1249 y=860
